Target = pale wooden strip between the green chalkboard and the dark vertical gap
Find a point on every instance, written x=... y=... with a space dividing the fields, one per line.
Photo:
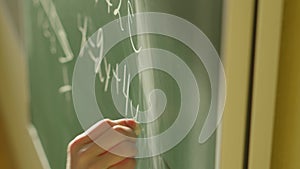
x=236 y=53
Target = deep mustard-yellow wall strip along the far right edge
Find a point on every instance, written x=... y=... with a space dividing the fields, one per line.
x=286 y=143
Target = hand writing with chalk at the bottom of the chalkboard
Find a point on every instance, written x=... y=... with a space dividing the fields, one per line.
x=116 y=136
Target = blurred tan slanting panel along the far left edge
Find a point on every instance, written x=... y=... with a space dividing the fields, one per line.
x=14 y=97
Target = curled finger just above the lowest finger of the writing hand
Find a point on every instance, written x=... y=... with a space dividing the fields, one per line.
x=109 y=159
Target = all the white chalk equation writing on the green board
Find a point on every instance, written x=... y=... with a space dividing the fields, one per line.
x=54 y=21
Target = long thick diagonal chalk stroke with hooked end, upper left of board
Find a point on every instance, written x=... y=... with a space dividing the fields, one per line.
x=58 y=29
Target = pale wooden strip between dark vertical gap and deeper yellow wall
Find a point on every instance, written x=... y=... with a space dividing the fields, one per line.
x=265 y=82
